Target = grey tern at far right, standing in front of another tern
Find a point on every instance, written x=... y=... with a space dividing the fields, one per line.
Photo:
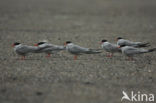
x=131 y=51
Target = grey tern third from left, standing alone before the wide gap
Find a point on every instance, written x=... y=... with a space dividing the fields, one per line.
x=78 y=50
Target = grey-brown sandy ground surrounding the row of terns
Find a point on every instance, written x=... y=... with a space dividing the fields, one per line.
x=91 y=78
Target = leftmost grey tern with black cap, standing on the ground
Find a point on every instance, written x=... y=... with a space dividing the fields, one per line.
x=23 y=50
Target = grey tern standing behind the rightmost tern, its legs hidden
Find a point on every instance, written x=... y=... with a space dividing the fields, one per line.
x=121 y=41
